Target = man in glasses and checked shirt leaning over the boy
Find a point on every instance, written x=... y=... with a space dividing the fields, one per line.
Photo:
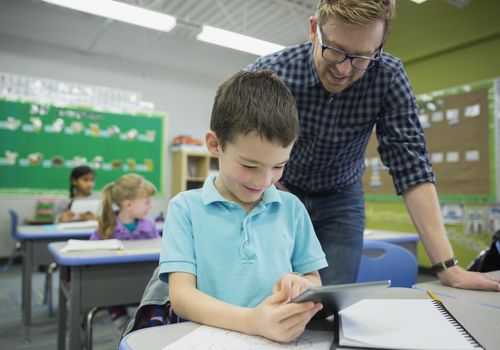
x=344 y=85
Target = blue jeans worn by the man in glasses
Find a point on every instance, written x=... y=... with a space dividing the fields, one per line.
x=338 y=218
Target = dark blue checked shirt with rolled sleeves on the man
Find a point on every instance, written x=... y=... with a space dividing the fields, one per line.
x=336 y=128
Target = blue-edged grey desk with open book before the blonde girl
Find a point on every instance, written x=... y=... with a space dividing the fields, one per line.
x=99 y=279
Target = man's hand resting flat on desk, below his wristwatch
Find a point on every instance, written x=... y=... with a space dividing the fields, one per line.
x=459 y=278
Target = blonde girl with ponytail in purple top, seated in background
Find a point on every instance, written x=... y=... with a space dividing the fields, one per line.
x=132 y=194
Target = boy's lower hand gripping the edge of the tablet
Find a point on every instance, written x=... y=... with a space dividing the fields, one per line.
x=278 y=319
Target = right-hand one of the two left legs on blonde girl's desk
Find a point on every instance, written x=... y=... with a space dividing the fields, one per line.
x=75 y=308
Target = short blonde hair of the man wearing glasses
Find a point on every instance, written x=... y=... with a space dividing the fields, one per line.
x=357 y=11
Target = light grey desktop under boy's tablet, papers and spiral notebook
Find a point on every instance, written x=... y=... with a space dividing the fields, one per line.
x=471 y=316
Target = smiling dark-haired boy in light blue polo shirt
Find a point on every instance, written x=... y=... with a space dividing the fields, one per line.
x=238 y=250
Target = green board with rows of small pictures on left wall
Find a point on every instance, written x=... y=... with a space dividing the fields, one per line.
x=41 y=143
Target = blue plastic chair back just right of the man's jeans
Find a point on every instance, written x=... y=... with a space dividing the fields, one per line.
x=386 y=261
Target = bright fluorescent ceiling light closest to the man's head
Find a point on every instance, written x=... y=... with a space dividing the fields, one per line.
x=237 y=41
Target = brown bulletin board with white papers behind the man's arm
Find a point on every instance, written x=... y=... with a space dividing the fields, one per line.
x=459 y=126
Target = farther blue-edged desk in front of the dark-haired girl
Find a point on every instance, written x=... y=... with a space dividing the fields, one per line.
x=34 y=240
